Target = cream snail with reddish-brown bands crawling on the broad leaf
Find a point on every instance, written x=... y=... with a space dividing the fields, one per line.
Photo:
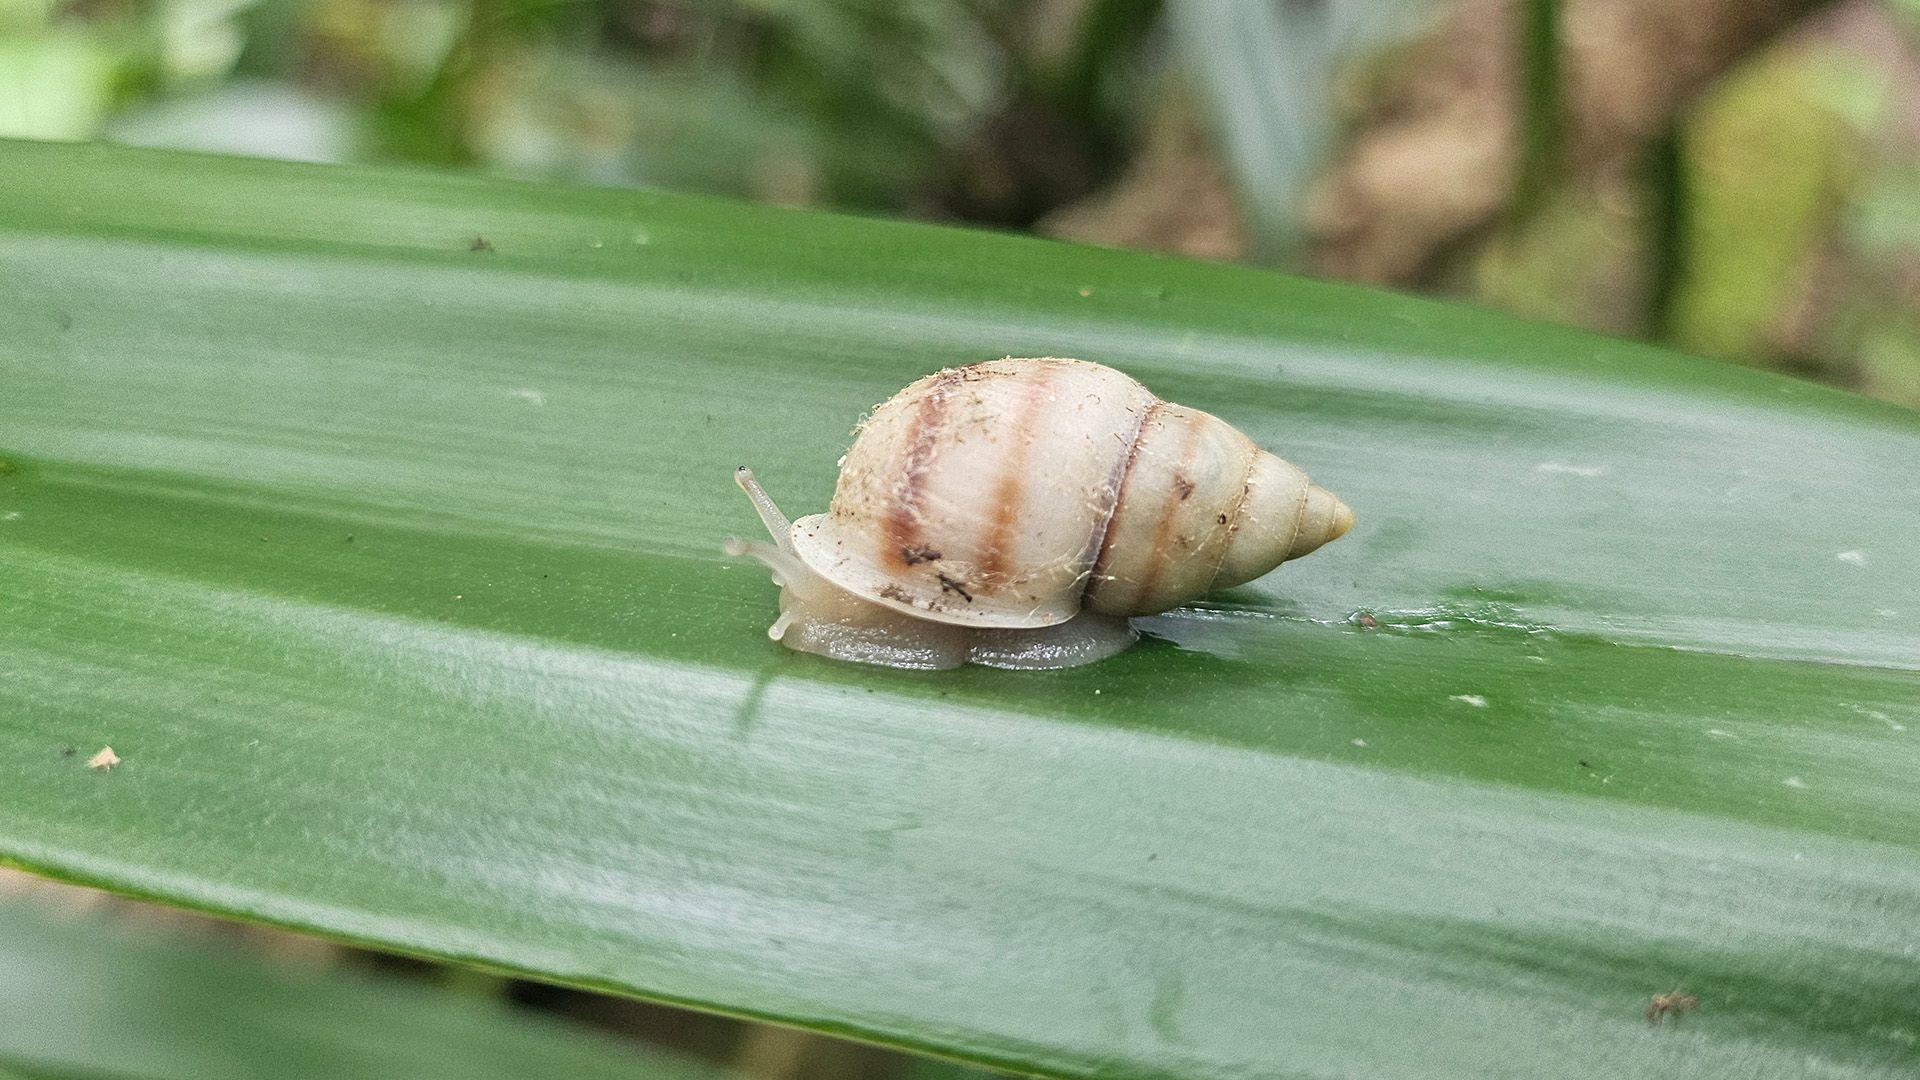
x=1019 y=512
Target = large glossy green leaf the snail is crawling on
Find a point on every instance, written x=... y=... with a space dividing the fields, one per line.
x=389 y=568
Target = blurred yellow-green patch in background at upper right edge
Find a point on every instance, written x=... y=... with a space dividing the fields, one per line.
x=1804 y=241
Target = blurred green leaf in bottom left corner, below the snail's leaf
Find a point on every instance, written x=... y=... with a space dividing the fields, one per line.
x=84 y=998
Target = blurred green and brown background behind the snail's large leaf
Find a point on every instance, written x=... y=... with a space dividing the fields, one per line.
x=1731 y=178
